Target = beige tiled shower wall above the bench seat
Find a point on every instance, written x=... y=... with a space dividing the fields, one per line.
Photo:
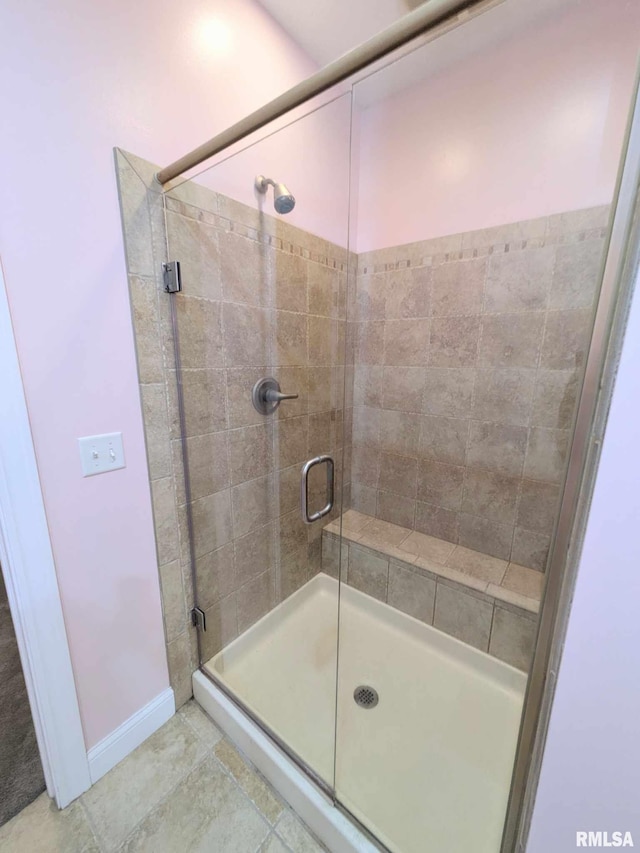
x=468 y=352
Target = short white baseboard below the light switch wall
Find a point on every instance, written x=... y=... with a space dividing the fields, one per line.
x=134 y=731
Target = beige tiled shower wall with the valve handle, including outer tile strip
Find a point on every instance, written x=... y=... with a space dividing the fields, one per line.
x=260 y=298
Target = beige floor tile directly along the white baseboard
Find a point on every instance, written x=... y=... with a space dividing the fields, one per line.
x=122 y=798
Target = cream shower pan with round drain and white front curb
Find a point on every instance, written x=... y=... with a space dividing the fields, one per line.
x=426 y=768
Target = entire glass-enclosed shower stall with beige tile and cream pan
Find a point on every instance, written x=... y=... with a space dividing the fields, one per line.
x=360 y=399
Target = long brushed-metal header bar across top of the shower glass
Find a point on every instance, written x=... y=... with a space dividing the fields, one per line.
x=426 y=17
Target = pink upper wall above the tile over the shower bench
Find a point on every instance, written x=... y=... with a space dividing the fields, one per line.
x=526 y=126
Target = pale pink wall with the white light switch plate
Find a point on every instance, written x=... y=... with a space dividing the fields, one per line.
x=78 y=78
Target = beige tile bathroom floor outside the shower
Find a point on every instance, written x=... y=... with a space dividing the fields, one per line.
x=187 y=788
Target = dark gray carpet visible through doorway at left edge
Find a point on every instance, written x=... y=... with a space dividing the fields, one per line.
x=21 y=778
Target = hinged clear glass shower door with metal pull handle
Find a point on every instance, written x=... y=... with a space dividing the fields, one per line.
x=264 y=276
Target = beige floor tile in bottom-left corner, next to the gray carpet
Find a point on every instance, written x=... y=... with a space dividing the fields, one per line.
x=42 y=828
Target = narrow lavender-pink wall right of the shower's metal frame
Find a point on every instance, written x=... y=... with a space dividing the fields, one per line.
x=591 y=769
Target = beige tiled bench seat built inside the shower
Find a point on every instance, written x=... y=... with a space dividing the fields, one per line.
x=488 y=603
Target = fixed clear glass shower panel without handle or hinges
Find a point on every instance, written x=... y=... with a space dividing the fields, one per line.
x=486 y=165
